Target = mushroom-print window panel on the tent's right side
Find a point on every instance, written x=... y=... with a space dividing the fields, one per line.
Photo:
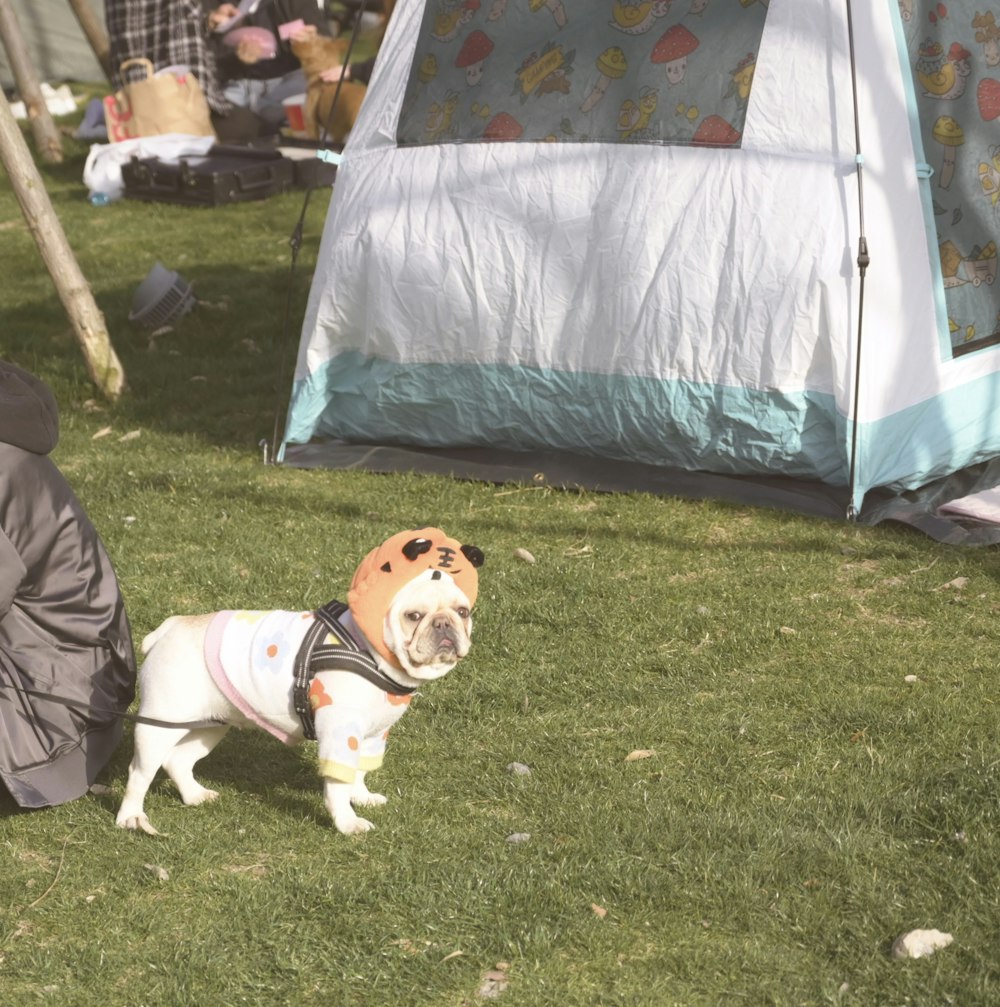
x=954 y=51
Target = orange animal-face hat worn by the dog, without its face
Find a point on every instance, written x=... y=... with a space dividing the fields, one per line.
x=398 y=561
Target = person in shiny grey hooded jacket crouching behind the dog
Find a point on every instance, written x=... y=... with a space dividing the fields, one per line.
x=68 y=667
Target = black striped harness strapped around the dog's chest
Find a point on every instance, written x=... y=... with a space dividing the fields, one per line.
x=347 y=656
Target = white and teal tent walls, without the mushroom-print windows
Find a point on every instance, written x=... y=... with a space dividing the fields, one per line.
x=668 y=304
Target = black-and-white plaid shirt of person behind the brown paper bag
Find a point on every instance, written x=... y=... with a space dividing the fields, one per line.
x=169 y=34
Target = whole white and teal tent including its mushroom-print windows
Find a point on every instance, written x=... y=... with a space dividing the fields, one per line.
x=651 y=299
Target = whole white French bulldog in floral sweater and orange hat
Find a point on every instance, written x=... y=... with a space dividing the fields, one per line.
x=343 y=675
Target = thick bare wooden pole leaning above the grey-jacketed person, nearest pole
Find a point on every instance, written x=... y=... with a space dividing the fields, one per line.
x=102 y=363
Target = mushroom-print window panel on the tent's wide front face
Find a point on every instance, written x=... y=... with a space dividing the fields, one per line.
x=677 y=72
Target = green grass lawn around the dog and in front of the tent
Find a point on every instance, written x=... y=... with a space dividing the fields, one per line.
x=803 y=806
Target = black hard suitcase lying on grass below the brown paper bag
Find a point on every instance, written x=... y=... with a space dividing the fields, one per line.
x=225 y=175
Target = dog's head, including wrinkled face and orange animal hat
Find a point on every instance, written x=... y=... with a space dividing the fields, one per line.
x=412 y=598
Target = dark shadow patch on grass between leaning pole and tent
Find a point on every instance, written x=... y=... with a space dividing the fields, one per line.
x=222 y=375
